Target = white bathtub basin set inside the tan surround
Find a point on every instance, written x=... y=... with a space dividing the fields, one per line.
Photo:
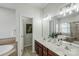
x=5 y=49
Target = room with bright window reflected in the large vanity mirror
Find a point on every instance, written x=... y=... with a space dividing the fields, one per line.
x=68 y=29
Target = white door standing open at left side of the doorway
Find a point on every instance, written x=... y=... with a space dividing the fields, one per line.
x=21 y=36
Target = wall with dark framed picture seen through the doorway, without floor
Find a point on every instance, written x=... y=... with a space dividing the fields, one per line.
x=27 y=31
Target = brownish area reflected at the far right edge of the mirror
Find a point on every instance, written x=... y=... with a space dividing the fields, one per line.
x=75 y=30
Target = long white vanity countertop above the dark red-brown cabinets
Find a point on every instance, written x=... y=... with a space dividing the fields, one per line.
x=66 y=49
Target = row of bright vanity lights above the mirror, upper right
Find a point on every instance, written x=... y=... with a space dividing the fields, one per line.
x=69 y=9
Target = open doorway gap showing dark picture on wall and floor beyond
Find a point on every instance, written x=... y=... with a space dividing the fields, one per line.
x=27 y=35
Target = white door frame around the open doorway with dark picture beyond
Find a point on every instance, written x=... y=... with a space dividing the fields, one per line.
x=18 y=38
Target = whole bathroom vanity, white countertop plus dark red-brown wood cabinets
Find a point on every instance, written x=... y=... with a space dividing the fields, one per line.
x=46 y=48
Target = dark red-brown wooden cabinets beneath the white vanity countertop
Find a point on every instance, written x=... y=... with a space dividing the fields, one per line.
x=42 y=50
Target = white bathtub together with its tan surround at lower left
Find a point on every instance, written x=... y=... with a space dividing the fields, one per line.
x=7 y=43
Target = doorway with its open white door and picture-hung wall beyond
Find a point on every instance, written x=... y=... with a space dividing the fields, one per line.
x=26 y=32
